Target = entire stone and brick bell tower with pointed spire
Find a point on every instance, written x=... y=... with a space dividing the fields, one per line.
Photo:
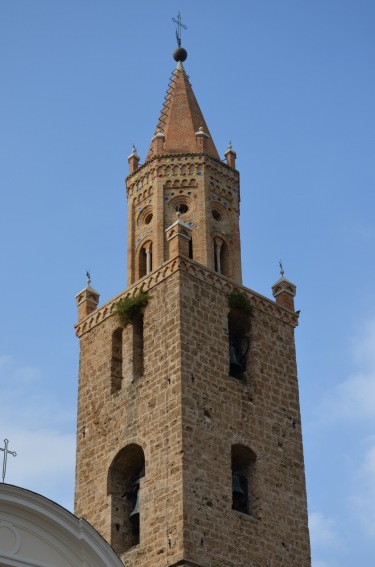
x=189 y=443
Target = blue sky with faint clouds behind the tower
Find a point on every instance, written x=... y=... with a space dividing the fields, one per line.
x=291 y=83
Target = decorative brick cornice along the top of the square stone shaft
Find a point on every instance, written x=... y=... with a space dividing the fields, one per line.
x=198 y=271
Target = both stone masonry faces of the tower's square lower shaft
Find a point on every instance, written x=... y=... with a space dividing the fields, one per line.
x=186 y=412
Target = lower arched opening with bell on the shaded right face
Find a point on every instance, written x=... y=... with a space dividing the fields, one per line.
x=243 y=479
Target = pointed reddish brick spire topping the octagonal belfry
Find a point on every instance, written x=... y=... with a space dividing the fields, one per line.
x=181 y=120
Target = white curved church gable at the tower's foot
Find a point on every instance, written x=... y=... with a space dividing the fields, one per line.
x=35 y=531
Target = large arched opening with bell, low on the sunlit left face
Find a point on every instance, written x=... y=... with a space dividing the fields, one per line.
x=124 y=486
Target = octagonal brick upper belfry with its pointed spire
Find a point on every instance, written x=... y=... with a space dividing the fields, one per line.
x=184 y=176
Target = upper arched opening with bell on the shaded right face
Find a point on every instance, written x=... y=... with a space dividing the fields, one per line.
x=239 y=343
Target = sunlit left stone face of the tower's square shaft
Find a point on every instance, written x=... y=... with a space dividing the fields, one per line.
x=147 y=412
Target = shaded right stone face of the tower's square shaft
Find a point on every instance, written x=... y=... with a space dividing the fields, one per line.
x=261 y=413
